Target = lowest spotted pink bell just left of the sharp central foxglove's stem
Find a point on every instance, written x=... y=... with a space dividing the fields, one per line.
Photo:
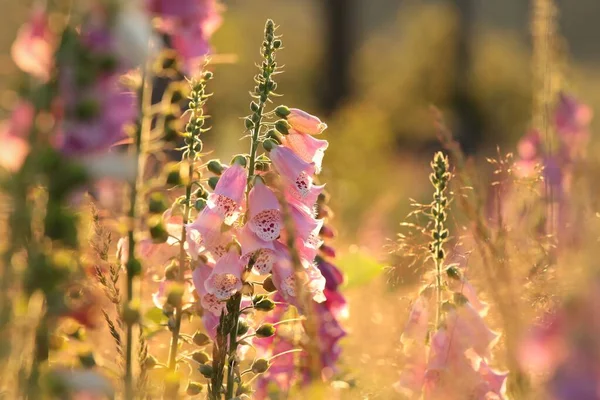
x=226 y=277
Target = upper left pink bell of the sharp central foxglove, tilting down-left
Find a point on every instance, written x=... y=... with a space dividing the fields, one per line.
x=229 y=193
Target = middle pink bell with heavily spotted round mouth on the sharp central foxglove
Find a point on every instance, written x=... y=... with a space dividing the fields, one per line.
x=265 y=216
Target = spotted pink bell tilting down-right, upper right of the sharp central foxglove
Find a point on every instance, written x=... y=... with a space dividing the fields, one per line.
x=295 y=172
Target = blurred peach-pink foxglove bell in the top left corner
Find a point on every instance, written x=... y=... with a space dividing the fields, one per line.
x=33 y=49
